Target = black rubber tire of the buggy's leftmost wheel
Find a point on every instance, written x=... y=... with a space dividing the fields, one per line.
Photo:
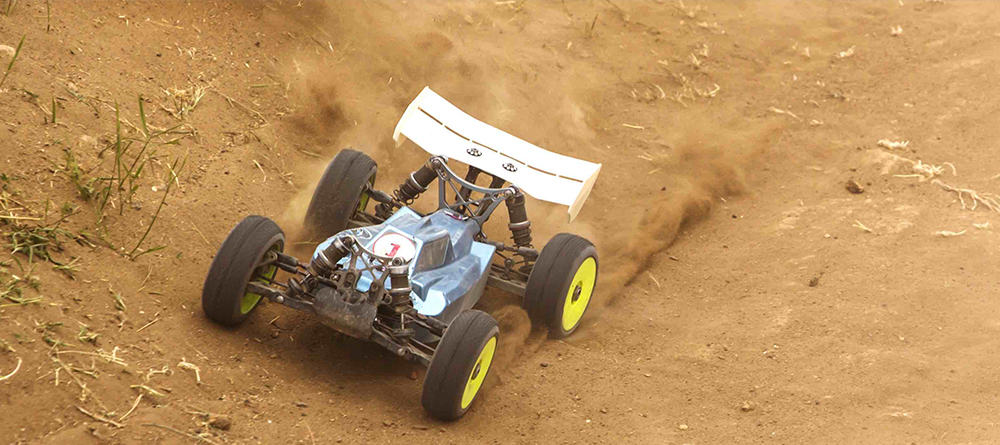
x=235 y=265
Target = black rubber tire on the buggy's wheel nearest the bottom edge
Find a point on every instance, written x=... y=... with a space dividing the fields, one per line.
x=453 y=363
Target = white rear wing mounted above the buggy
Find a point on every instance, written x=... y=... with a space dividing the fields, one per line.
x=442 y=129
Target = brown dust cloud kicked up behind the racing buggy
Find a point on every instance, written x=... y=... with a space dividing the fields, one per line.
x=351 y=87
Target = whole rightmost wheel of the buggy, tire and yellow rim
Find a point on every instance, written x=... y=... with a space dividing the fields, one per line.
x=561 y=284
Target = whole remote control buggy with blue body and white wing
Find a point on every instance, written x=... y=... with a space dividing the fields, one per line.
x=408 y=280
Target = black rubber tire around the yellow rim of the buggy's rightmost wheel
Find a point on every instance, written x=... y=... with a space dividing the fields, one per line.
x=551 y=278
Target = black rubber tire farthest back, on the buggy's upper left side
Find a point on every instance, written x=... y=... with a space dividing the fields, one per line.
x=338 y=195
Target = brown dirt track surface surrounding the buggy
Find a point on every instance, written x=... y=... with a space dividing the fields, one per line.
x=747 y=296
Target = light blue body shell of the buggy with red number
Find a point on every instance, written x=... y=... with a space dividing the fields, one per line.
x=448 y=268
